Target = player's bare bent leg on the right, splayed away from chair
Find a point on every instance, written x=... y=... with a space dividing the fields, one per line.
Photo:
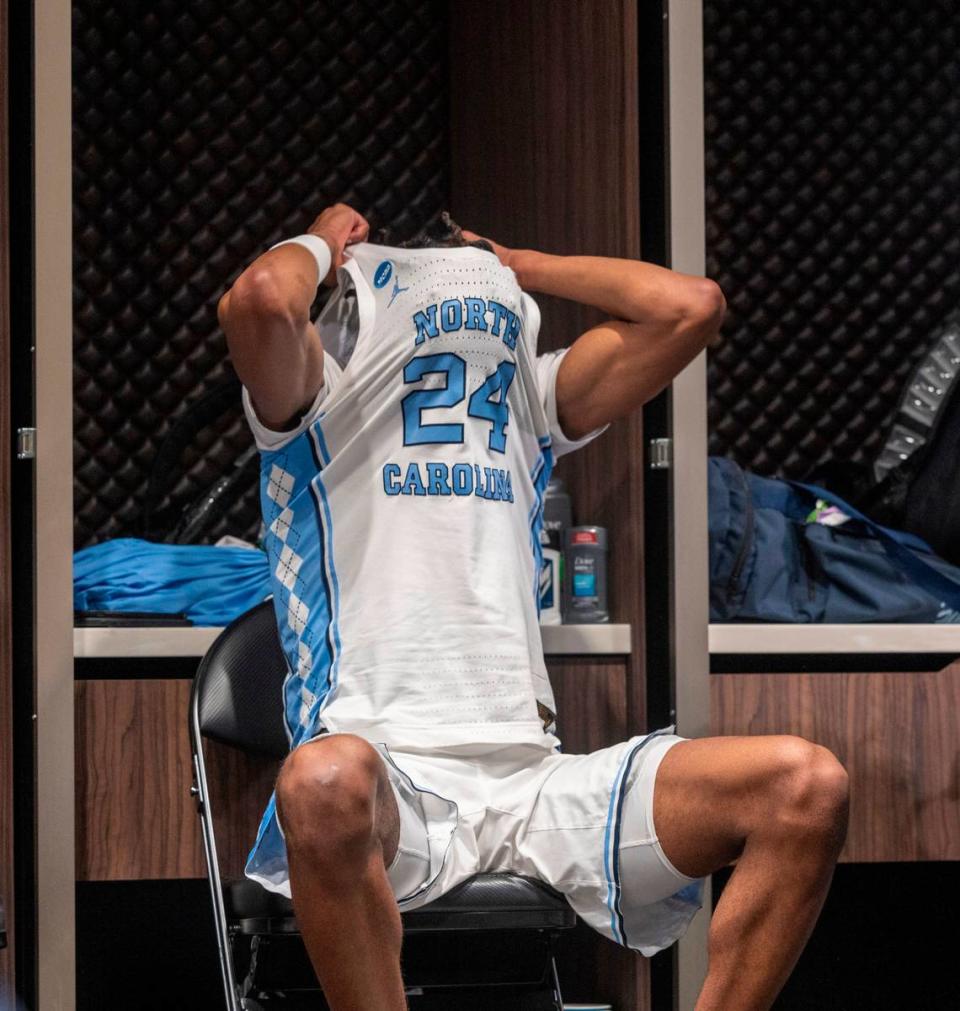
x=779 y=807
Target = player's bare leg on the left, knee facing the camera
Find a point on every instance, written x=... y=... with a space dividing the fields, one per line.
x=342 y=828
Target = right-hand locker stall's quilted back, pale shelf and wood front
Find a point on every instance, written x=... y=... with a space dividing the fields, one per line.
x=835 y=295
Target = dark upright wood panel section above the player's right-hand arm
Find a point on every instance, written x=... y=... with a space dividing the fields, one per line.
x=544 y=134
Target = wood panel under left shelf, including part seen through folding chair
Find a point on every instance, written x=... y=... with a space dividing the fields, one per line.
x=135 y=816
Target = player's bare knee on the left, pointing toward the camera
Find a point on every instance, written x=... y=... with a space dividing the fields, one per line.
x=327 y=797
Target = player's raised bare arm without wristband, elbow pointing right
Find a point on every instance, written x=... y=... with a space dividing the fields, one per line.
x=663 y=320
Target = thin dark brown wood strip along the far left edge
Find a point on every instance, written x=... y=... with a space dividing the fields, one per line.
x=7 y=641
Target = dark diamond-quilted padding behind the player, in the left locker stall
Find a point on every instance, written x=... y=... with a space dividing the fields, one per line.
x=204 y=133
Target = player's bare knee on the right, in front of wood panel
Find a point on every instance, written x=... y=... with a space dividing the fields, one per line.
x=809 y=790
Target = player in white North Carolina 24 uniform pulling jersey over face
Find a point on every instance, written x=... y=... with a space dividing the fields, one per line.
x=407 y=440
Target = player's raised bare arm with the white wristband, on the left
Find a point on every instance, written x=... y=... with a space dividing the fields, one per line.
x=266 y=317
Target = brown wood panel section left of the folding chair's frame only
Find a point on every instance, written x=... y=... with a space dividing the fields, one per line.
x=135 y=815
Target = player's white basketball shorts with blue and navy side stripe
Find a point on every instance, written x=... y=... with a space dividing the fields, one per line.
x=583 y=823
